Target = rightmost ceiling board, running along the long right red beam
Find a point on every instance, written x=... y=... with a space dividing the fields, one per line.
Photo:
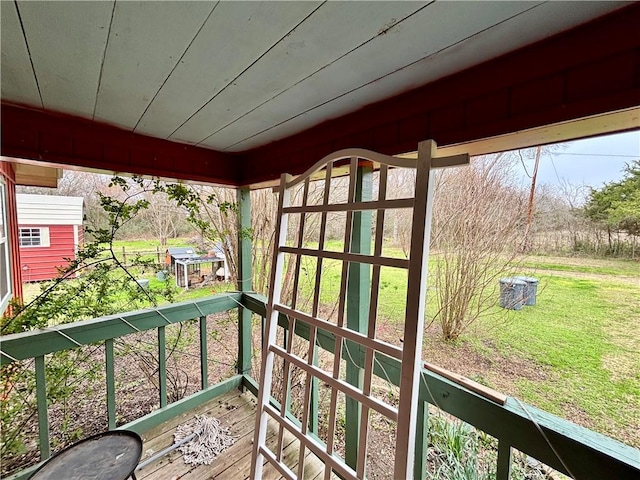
x=537 y=23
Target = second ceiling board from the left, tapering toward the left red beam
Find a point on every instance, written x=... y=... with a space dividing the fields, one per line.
x=67 y=42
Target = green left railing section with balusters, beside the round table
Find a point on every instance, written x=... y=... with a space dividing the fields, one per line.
x=37 y=344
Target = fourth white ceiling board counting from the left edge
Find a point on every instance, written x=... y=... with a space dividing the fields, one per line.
x=235 y=36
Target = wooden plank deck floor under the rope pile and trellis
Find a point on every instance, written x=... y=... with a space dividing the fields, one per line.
x=235 y=411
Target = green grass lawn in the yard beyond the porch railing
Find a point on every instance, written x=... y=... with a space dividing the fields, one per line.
x=582 y=335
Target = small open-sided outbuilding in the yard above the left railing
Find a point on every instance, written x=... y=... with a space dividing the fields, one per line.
x=191 y=269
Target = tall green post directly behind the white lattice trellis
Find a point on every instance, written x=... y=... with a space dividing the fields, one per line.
x=358 y=299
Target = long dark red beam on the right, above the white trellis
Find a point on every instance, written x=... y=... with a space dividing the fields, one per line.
x=586 y=71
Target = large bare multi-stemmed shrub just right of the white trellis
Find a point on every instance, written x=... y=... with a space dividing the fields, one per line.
x=477 y=225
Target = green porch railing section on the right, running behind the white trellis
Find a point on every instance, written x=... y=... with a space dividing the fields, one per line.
x=573 y=450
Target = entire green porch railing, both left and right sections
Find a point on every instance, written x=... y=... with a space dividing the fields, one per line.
x=553 y=441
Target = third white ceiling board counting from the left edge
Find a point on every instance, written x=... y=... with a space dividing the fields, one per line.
x=131 y=75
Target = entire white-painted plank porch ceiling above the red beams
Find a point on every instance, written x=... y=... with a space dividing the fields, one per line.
x=236 y=75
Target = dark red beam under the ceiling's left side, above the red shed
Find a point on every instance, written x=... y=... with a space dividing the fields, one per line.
x=64 y=139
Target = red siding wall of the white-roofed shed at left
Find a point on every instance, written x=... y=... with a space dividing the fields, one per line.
x=39 y=263
